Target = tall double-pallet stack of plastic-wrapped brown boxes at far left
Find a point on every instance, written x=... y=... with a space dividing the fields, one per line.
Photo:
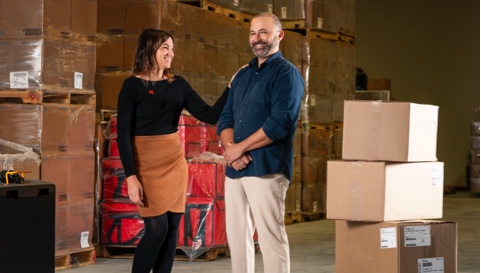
x=48 y=51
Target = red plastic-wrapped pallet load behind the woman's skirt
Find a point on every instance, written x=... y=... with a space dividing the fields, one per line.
x=203 y=225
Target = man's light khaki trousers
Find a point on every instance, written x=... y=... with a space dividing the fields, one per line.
x=257 y=203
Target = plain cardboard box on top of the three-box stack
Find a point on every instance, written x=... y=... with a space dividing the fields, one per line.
x=389 y=131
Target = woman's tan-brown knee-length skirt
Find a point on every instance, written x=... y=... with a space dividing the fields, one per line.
x=162 y=170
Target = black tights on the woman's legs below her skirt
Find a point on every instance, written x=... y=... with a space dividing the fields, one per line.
x=156 y=249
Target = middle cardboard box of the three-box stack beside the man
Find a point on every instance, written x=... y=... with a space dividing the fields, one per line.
x=380 y=191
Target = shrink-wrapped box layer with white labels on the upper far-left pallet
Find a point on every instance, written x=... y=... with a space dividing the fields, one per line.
x=47 y=63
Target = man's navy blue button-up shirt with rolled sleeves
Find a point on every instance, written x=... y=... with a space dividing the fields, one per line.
x=268 y=98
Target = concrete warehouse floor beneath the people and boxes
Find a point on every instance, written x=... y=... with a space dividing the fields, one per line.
x=312 y=245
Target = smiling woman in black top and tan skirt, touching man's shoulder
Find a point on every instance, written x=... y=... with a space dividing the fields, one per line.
x=149 y=107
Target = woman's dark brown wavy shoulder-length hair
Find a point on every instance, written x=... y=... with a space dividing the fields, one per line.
x=145 y=63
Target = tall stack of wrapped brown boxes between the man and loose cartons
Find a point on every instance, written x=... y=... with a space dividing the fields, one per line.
x=328 y=68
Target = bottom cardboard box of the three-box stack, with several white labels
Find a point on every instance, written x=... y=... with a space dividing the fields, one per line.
x=396 y=247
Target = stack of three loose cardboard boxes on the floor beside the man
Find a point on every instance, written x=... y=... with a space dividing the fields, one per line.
x=387 y=191
